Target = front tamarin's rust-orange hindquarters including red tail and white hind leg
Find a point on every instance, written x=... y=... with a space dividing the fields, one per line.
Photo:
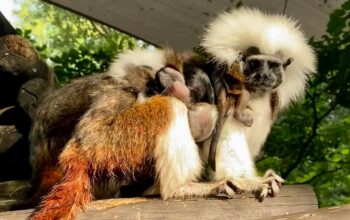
x=126 y=145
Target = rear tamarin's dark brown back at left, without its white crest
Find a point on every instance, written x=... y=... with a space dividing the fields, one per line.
x=55 y=119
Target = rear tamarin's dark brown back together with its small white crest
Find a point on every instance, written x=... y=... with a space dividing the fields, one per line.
x=60 y=109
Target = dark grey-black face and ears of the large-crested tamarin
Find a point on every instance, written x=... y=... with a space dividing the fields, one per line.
x=262 y=72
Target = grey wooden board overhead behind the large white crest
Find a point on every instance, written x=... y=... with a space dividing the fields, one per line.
x=180 y=23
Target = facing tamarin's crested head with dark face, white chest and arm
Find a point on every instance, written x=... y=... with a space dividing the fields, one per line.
x=278 y=62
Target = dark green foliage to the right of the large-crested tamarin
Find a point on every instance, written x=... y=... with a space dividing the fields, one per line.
x=310 y=143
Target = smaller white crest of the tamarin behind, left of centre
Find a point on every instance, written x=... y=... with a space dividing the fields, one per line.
x=153 y=58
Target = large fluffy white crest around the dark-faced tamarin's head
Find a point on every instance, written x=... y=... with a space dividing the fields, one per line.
x=234 y=31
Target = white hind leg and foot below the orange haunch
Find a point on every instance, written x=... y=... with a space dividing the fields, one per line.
x=178 y=163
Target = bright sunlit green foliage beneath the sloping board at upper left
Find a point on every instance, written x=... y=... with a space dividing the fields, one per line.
x=74 y=45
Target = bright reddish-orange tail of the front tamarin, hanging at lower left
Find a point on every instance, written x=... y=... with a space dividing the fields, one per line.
x=72 y=193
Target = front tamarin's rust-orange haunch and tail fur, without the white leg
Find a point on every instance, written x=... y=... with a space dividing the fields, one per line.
x=105 y=144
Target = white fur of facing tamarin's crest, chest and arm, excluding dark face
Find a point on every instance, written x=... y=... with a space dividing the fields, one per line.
x=277 y=35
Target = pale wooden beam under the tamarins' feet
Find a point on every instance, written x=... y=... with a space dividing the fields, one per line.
x=292 y=199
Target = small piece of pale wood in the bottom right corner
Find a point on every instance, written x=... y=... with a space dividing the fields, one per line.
x=336 y=212
